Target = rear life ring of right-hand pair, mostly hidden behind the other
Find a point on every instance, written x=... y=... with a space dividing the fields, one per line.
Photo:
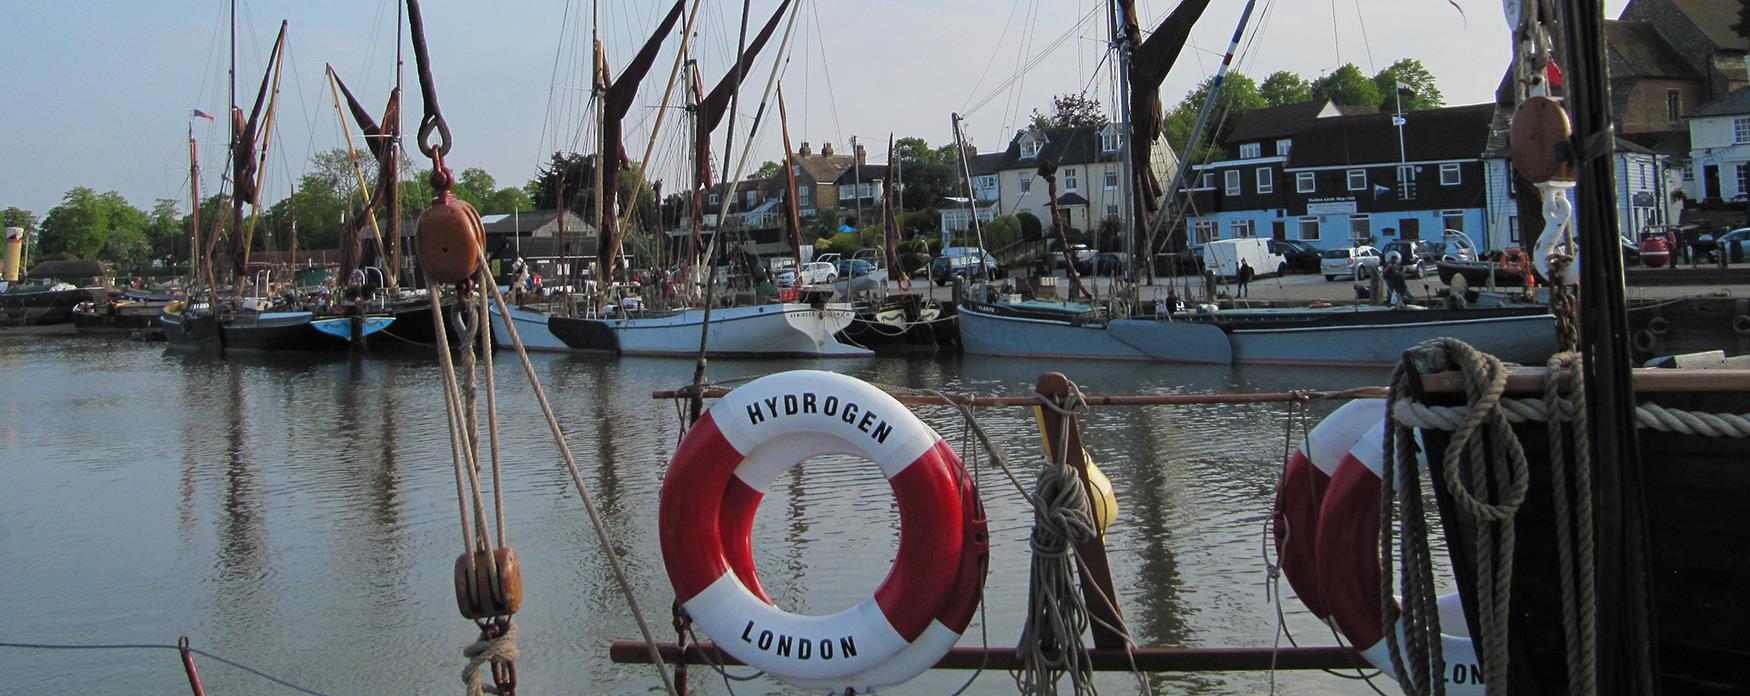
x=1305 y=482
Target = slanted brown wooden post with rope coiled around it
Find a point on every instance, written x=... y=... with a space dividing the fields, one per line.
x=1065 y=436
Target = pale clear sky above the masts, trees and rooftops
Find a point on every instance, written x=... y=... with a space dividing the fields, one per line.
x=97 y=94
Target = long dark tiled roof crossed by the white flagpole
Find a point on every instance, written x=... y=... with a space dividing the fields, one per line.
x=1429 y=136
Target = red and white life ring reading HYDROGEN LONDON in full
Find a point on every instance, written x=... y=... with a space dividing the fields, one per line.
x=708 y=508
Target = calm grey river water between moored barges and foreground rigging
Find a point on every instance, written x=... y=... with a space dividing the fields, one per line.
x=300 y=517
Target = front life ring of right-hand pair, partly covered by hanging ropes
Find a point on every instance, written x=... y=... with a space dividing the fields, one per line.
x=1348 y=557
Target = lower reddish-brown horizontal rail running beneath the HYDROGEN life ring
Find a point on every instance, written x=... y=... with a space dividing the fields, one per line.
x=1005 y=658
